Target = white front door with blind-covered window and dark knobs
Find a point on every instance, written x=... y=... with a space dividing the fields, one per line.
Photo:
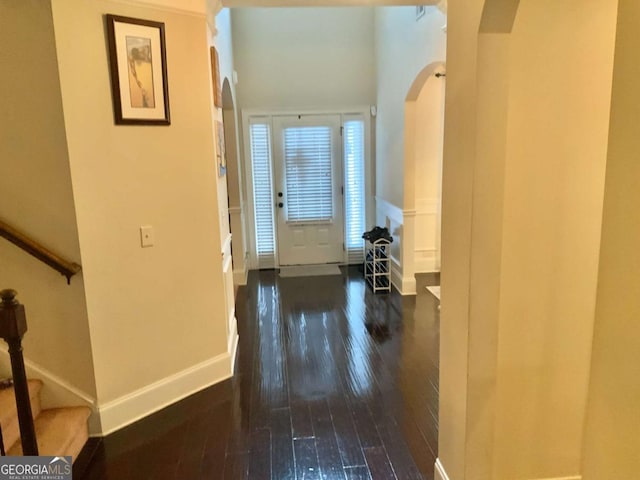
x=308 y=185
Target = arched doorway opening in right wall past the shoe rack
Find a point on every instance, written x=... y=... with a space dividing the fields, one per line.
x=423 y=142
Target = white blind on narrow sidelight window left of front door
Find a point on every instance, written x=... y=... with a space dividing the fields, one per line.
x=263 y=201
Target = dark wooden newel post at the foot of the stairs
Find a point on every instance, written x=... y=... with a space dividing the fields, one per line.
x=13 y=325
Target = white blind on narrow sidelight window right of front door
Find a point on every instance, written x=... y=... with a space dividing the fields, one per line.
x=354 y=172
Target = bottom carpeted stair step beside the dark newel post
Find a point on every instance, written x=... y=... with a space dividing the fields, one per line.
x=60 y=432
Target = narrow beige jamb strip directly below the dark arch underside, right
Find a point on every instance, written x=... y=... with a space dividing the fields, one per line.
x=486 y=250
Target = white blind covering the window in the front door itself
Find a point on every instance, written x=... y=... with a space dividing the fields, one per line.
x=307 y=155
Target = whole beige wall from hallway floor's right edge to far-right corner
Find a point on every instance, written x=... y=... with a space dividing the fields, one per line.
x=518 y=299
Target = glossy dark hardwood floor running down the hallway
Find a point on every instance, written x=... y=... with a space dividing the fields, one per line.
x=332 y=382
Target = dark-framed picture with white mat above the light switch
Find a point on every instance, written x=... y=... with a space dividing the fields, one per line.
x=137 y=57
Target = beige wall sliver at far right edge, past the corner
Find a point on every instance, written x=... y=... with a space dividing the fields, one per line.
x=612 y=442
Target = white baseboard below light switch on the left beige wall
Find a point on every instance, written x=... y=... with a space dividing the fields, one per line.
x=129 y=408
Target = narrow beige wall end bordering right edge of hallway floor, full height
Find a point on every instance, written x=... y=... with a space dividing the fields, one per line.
x=463 y=19
